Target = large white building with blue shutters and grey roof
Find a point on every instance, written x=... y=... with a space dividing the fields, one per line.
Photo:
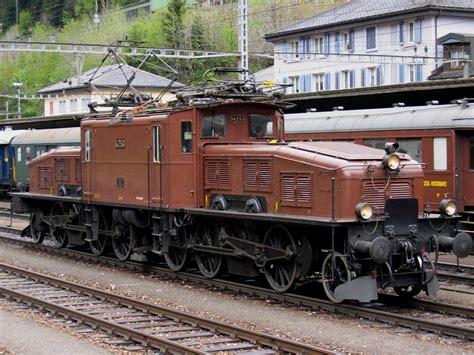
x=366 y=43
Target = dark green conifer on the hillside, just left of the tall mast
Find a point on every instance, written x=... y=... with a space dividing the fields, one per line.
x=173 y=28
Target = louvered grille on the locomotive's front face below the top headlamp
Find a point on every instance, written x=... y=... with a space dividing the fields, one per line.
x=376 y=192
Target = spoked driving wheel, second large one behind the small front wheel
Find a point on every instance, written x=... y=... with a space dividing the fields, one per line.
x=208 y=263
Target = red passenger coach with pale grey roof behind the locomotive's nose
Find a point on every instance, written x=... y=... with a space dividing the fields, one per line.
x=441 y=137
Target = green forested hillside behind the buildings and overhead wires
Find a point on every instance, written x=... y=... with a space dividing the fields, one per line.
x=174 y=26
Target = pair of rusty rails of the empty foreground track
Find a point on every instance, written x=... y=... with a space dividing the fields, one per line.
x=254 y=337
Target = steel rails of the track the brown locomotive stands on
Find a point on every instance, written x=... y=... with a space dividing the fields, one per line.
x=351 y=310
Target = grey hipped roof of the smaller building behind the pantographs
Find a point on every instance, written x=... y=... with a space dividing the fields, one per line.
x=111 y=76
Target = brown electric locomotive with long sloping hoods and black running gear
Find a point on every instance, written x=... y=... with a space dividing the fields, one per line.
x=214 y=182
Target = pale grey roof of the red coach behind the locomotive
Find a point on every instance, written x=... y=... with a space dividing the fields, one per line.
x=395 y=118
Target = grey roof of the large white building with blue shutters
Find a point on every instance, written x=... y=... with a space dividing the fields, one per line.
x=361 y=10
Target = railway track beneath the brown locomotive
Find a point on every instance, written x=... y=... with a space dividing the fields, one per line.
x=445 y=319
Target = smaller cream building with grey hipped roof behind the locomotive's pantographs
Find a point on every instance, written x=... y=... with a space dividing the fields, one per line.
x=73 y=95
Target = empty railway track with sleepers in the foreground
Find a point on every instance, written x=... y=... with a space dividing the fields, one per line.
x=150 y=326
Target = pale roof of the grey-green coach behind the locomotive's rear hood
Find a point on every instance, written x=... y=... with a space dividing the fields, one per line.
x=49 y=136
